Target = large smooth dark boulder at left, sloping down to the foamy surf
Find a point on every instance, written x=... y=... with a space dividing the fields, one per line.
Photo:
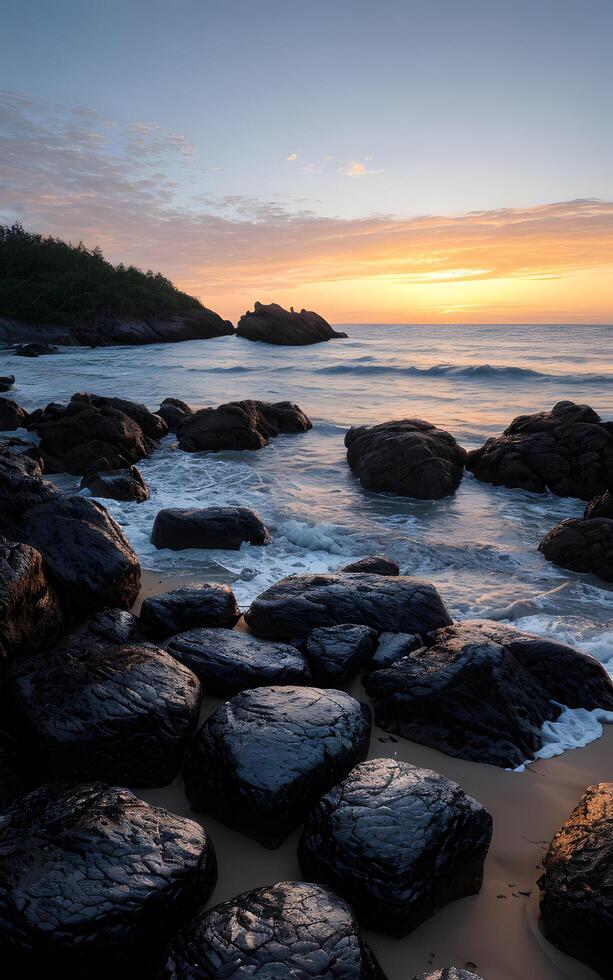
x=88 y=559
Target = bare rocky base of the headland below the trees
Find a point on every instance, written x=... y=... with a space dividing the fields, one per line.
x=197 y=324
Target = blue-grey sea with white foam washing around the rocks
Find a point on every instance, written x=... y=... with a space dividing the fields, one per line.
x=478 y=547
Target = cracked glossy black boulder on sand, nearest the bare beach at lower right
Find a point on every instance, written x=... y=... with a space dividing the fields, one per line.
x=397 y=842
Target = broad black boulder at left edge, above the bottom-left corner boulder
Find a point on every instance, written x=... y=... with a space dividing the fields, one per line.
x=89 y=709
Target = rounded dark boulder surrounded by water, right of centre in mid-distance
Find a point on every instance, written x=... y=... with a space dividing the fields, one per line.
x=409 y=457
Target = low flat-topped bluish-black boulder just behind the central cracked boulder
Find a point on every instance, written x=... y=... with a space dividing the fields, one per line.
x=228 y=661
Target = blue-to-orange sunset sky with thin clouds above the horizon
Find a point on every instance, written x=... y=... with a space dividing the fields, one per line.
x=399 y=161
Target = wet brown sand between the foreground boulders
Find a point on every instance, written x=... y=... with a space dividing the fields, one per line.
x=493 y=933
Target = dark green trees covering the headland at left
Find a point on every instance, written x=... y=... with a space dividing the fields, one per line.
x=47 y=280
